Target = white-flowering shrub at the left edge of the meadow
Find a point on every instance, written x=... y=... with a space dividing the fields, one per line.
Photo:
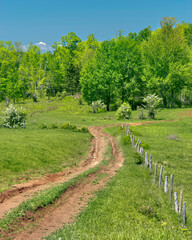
x=14 y=117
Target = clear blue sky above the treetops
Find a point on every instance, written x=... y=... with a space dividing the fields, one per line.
x=46 y=21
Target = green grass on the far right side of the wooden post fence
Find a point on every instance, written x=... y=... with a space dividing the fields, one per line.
x=170 y=143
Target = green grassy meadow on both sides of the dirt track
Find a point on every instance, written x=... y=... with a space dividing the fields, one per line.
x=131 y=206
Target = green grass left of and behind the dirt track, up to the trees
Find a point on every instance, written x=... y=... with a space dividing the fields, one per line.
x=53 y=149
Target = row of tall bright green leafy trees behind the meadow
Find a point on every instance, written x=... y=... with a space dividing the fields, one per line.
x=123 y=69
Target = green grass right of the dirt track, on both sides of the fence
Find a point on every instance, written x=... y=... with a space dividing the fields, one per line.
x=132 y=206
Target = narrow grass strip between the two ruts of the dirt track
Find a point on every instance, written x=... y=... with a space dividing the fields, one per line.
x=49 y=196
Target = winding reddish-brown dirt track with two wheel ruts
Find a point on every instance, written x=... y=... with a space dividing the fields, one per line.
x=67 y=207
